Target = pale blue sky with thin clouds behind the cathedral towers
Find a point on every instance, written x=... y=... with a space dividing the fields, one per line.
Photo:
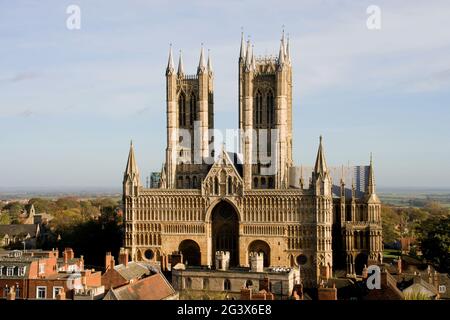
x=71 y=100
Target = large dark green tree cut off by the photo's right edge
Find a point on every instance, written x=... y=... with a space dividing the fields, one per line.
x=434 y=236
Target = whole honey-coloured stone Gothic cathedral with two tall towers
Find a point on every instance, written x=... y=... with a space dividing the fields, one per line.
x=318 y=219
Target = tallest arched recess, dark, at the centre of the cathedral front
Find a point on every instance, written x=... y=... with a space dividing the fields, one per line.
x=225 y=231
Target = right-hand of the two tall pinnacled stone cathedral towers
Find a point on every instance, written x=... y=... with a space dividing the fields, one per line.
x=265 y=116
